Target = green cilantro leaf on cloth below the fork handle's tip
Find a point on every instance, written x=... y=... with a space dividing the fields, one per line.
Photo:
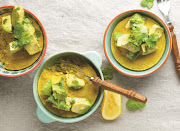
x=133 y=105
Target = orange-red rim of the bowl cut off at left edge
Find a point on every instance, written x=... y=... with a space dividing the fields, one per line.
x=45 y=46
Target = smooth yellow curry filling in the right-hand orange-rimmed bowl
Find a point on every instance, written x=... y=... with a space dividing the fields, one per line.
x=142 y=62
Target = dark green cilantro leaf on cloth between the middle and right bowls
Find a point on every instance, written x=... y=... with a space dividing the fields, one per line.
x=108 y=72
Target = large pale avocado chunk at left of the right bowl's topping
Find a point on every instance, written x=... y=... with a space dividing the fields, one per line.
x=123 y=42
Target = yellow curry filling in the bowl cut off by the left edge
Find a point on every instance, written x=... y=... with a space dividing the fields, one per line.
x=20 y=59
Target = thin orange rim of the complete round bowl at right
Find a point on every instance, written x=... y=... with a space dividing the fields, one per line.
x=134 y=10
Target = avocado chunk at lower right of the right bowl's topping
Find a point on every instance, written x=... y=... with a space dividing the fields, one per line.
x=146 y=50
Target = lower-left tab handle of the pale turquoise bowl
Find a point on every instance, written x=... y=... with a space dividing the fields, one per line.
x=43 y=117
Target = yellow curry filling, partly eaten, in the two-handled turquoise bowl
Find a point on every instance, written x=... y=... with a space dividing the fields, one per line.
x=89 y=91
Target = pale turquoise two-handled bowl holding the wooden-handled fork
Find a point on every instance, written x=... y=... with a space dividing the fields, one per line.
x=44 y=114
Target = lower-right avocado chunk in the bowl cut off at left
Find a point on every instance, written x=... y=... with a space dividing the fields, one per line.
x=33 y=47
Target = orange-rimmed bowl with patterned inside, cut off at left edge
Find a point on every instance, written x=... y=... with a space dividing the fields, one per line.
x=16 y=73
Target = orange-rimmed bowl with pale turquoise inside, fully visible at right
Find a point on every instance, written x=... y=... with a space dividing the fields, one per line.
x=111 y=58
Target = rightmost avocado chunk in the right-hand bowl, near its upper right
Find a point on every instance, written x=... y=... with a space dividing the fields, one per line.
x=156 y=29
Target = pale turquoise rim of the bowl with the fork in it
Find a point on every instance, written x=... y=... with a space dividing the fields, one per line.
x=49 y=113
